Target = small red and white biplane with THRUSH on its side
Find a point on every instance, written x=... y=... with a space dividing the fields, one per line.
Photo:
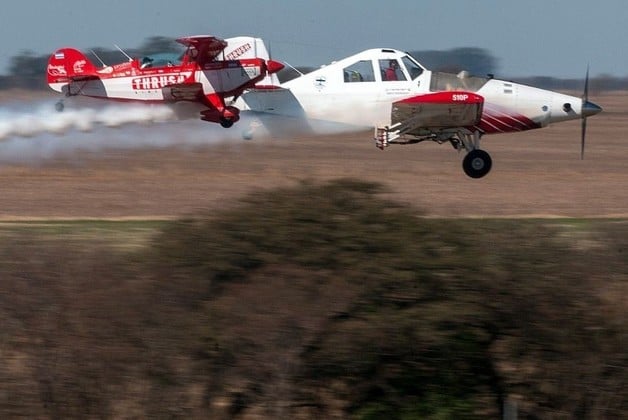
x=210 y=70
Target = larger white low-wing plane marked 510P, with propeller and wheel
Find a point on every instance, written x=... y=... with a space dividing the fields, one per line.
x=406 y=103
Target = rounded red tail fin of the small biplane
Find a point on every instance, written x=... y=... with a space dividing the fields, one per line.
x=66 y=65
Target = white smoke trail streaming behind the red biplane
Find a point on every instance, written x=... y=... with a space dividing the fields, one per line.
x=33 y=132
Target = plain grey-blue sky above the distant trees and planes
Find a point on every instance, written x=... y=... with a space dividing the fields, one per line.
x=532 y=37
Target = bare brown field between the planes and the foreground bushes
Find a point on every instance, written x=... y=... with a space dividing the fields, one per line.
x=536 y=173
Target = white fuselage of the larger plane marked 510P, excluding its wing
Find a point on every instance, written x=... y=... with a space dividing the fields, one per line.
x=337 y=93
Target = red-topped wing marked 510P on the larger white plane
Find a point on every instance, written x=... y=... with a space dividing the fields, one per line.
x=433 y=111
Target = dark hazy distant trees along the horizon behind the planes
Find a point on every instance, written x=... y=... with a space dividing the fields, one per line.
x=27 y=70
